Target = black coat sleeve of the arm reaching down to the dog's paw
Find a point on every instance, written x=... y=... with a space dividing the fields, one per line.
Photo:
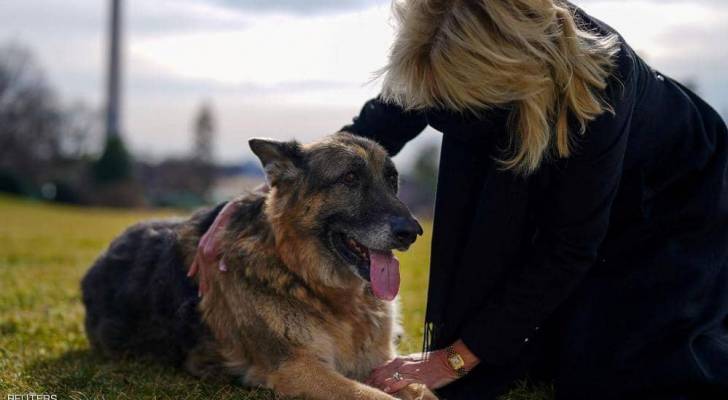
x=573 y=221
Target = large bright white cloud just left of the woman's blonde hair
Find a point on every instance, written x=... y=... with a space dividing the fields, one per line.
x=346 y=47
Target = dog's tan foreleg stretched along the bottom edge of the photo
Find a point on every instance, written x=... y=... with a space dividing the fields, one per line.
x=308 y=376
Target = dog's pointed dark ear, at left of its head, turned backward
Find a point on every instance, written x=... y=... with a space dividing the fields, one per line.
x=282 y=161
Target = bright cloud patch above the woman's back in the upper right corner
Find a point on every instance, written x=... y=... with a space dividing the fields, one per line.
x=683 y=39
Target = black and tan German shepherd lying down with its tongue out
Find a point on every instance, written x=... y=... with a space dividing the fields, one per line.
x=304 y=307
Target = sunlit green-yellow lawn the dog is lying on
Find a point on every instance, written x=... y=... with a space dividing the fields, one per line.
x=45 y=250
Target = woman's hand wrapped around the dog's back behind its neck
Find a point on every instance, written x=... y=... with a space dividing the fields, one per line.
x=208 y=254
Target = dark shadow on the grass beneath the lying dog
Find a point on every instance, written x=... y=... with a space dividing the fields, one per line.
x=83 y=374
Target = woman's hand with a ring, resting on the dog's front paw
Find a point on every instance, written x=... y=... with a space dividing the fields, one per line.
x=433 y=371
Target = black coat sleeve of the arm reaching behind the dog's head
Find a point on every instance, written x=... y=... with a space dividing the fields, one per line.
x=387 y=124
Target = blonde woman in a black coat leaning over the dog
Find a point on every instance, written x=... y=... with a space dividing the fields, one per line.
x=581 y=221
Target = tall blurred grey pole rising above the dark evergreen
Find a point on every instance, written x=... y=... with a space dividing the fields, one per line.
x=113 y=95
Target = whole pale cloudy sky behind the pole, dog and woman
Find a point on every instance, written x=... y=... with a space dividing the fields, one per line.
x=290 y=68
